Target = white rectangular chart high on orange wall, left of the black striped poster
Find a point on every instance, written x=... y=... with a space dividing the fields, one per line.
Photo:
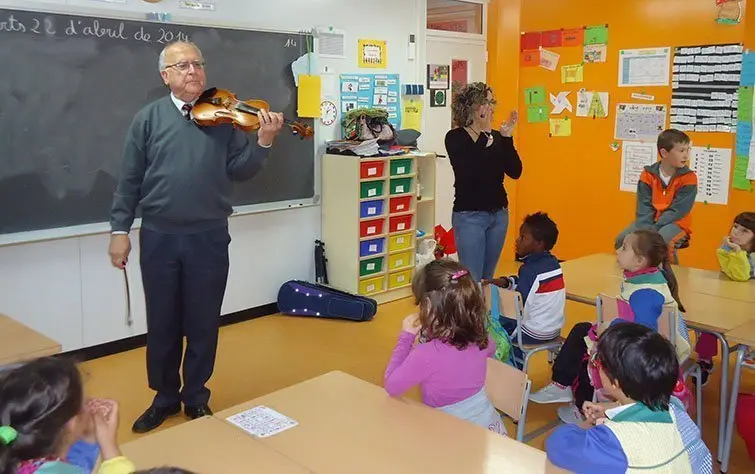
x=644 y=67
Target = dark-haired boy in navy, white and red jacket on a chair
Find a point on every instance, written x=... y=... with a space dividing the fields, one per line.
x=540 y=282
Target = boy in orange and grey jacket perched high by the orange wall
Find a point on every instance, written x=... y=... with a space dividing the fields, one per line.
x=666 y=192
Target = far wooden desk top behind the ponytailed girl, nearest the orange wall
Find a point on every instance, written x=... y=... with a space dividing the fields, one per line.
x=690 y=279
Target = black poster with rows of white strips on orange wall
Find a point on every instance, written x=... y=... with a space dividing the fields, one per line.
x=705 y=85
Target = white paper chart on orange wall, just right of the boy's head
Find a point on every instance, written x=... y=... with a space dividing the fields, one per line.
x=712 y=167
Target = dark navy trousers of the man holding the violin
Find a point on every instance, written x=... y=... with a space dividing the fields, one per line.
x=184 y=277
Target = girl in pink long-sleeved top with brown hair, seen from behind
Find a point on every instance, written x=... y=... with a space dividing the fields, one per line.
x=450 y=367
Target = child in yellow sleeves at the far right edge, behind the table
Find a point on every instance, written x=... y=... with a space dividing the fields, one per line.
x=736 y=256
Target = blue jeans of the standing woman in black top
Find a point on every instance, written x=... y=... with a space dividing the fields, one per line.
x=479 y=238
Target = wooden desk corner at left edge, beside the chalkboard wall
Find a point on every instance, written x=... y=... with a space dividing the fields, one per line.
x=19 y=343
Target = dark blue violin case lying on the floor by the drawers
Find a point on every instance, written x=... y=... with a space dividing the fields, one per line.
x=301 y=298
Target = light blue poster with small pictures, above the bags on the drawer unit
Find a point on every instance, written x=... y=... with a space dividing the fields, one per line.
x=361 y=91
